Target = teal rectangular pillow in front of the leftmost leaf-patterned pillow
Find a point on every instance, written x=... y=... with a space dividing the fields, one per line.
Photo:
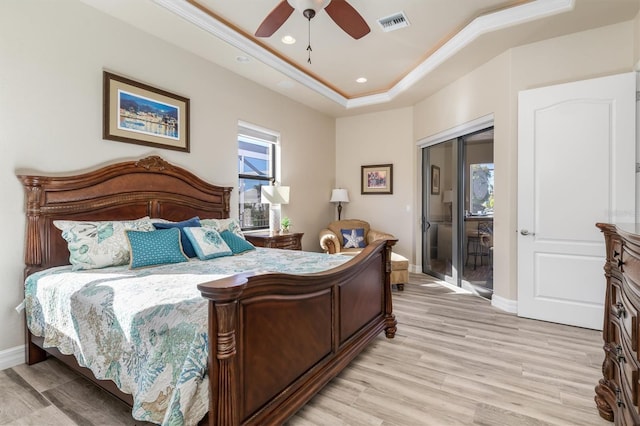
x=155 y=247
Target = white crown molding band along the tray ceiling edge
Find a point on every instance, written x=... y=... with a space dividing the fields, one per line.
x=527 y=12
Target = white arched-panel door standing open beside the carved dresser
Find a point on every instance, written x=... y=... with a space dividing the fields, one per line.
x=576 y=167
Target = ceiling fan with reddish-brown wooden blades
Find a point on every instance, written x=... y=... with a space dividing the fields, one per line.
x=340 y=11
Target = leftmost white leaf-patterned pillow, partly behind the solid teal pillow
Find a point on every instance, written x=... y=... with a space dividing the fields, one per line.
x=94 y=245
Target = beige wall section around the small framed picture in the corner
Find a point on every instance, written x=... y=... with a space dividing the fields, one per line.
x=379 y=138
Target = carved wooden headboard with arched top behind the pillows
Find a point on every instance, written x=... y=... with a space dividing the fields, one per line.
x=123 y=191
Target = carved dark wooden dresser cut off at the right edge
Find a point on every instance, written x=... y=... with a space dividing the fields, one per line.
x=617 y=395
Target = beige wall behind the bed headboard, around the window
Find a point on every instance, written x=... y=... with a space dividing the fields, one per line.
x=52 y=55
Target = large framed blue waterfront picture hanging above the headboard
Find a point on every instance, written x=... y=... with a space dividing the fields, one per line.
x=138 y=113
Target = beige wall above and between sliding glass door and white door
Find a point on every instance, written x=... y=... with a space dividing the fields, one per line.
x=493 y=89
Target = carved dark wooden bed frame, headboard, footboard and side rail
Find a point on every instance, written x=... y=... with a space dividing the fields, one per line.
x=275 y=339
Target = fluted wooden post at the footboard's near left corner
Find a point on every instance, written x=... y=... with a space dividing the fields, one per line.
x=224 y=383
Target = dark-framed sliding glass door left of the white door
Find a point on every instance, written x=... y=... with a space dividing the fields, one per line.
x=457 y=206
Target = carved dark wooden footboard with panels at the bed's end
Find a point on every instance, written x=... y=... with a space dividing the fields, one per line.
x=276 y=339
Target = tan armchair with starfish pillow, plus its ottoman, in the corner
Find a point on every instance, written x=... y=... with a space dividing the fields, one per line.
x=350 y=236
